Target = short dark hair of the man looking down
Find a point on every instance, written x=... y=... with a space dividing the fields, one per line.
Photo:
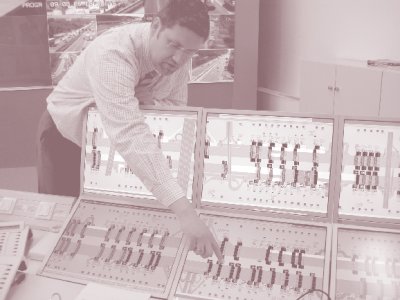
x=192 y=14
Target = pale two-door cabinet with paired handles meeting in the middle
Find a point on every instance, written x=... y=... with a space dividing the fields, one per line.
x=347 y=88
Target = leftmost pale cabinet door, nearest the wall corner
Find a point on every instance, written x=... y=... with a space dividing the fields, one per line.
x=316 y=89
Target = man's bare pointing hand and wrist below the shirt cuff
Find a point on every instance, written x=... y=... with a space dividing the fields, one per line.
x=202 y=241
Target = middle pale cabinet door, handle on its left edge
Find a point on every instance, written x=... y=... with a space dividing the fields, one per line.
x=357 y=91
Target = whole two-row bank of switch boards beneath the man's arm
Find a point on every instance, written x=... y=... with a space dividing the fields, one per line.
x=244 y=163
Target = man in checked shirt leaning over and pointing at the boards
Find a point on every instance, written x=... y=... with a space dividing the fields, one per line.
x=146 y=63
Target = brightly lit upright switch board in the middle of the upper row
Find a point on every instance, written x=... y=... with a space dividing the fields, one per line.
x=268 y=161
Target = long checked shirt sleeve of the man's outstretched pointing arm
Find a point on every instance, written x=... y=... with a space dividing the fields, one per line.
x=113 y=78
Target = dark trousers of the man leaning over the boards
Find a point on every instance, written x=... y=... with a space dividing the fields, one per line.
x=58 y=160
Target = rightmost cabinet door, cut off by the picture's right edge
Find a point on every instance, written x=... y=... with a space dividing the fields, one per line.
x=390 y=98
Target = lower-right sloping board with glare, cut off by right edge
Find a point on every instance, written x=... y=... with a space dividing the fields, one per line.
x=367 y=265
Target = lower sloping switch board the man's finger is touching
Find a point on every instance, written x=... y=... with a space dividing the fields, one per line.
x=262 y=260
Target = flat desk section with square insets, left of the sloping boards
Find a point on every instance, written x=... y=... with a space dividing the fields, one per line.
x=39 y=211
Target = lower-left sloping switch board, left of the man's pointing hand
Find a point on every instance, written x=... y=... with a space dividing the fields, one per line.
x=118 y=244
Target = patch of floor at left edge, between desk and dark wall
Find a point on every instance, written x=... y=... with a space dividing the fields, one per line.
x=19 y=179
